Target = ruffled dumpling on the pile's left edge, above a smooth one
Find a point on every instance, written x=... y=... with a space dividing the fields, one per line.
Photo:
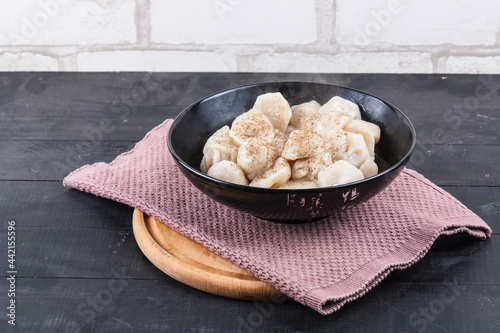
x=219 y=147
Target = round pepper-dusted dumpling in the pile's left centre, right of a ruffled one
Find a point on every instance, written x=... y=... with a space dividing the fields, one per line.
x=255 y=156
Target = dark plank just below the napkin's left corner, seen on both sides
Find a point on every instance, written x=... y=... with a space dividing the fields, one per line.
x=50 y=204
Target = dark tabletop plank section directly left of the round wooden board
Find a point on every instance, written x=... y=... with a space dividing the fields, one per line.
x=78 y=253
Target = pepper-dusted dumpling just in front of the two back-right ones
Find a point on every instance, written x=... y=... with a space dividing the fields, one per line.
x=326 y=124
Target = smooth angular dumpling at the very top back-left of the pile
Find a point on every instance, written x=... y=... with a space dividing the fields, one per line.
x=276 y=108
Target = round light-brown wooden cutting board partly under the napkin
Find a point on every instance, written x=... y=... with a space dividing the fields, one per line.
x=192 y=264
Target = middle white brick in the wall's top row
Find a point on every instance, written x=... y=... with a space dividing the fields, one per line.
x=233 y=22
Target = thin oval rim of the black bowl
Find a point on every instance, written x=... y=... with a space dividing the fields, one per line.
x=254 y=189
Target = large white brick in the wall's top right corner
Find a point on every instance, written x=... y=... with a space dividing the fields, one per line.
x=419 y=23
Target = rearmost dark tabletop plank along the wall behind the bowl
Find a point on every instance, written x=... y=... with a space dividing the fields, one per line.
x=47 y=106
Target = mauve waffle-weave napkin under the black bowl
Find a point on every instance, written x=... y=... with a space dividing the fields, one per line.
x=324 y=264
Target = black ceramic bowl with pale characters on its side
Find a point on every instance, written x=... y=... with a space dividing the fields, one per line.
x=193 y=126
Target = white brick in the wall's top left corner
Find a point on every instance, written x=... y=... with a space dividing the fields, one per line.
x=63 y=22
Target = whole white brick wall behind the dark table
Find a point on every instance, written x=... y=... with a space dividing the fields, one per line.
x=390 y=36
